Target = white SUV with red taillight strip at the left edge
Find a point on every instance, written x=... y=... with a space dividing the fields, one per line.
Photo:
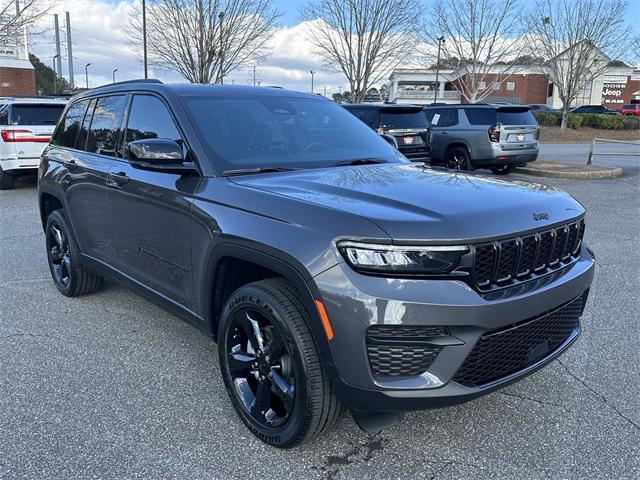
x=26 y=125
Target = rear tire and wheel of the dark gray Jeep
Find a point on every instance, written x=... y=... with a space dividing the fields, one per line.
x=63 y=255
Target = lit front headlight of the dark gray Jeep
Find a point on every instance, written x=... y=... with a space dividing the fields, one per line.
x=416 y=260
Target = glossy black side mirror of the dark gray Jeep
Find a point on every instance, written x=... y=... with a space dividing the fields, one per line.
x=159 y=155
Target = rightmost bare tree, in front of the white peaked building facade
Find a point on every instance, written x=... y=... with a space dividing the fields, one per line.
x=572 y=35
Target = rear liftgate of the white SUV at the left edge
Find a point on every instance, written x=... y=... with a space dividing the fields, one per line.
x=30 y=128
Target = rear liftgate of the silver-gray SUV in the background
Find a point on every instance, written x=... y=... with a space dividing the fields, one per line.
x=518 y=128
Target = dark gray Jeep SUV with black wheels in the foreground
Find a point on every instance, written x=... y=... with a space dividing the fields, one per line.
x=330 y=270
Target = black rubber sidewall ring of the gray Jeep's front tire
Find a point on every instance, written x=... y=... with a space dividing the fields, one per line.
x=256 y=298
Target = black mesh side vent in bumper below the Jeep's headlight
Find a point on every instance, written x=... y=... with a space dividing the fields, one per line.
x=402 y=350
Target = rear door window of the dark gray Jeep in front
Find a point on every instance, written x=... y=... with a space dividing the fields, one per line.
x=105 y=125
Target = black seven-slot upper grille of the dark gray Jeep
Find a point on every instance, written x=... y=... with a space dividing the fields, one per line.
x=500 y=264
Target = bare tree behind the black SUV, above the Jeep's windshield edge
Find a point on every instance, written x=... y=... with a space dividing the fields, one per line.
x=363 y=39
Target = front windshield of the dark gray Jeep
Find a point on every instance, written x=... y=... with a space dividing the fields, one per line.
x=284 y=132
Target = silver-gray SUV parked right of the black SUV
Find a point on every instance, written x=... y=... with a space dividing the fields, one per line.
x=465 y=137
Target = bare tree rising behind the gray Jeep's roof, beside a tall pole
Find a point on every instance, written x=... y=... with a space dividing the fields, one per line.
x=205 y=40
